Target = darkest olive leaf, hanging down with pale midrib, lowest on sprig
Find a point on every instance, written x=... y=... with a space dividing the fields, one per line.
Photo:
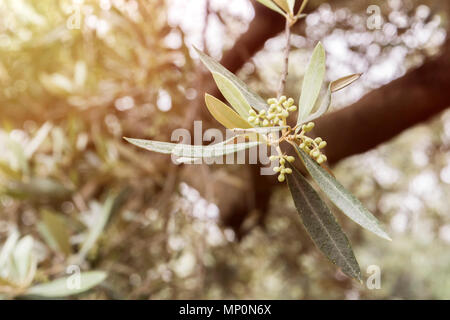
x=322 y=225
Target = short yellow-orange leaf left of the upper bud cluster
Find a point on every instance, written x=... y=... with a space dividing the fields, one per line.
x=224 y=114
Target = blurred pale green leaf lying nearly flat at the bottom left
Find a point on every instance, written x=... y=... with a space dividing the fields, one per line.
x=61 y=288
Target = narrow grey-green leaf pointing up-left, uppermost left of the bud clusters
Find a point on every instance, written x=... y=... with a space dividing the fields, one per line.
x=250 y=96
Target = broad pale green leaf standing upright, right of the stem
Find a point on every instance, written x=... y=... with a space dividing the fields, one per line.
x=312 y=82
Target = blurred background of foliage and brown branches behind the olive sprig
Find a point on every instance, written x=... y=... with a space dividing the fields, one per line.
x=77 y=76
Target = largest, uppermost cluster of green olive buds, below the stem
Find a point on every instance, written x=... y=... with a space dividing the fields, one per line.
x=276 y=114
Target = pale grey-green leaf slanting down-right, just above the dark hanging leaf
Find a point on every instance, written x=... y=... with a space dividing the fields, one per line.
x=342 y=198
